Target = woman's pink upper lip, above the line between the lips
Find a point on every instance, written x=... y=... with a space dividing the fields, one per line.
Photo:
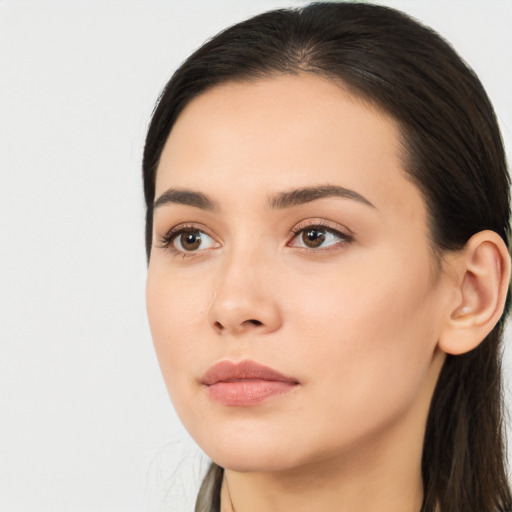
x=226 y=371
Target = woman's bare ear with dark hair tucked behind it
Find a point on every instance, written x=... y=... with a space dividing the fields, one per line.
x=481 y=279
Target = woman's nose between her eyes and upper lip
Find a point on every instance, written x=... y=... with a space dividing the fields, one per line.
x=244 y=301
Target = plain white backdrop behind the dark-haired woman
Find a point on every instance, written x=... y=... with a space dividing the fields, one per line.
x=85 y=422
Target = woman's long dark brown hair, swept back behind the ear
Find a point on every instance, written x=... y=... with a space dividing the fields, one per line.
x=454 y=154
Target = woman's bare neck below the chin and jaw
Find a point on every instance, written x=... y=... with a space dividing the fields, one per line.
x=327 y=485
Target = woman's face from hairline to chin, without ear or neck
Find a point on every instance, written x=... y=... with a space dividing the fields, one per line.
x=292 y=295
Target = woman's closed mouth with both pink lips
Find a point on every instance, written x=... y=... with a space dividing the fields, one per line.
x=246 y=383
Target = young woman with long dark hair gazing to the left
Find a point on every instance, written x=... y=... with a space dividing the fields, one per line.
x=327 y=233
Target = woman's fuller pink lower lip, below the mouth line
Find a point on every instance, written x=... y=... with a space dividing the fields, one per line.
x=244 y=393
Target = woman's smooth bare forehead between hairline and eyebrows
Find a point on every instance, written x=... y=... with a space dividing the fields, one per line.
x=276 y=133
